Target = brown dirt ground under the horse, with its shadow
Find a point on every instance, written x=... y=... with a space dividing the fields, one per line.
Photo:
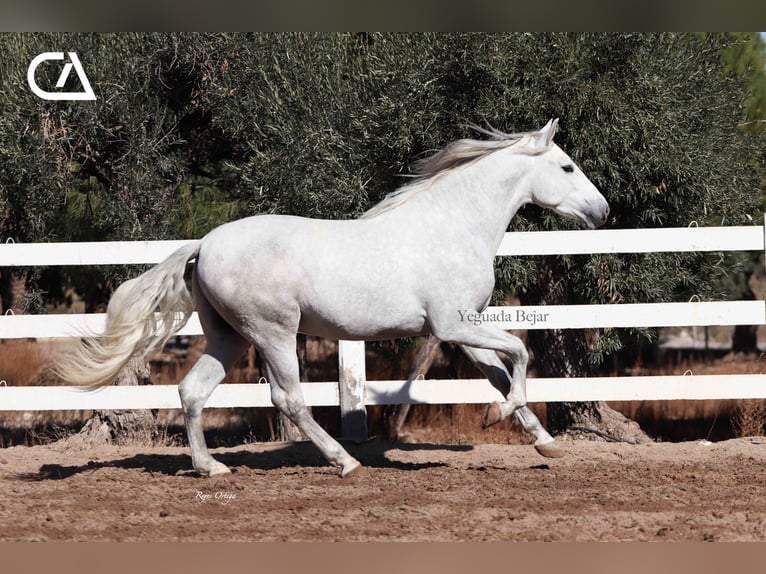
x=692 y=491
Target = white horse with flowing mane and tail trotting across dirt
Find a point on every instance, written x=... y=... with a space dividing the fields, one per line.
x=411 y=265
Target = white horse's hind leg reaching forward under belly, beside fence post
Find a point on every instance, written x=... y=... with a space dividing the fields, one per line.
x=287 y=396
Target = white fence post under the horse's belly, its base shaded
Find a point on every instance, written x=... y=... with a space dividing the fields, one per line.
x=351 y=380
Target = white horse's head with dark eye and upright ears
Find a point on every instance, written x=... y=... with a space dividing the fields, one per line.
x=557 y=183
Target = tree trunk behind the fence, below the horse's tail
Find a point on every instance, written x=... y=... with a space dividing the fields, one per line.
x=122 y=427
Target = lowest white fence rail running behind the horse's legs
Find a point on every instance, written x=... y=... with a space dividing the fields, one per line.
x=433 y=391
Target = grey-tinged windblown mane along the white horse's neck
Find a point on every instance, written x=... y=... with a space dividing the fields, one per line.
x=451 y=157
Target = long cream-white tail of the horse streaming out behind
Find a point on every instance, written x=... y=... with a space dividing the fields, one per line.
x=143 y=313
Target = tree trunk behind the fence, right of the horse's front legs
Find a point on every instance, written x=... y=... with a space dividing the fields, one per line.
x=563 y=353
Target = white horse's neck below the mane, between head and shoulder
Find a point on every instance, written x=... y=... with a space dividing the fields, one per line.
x=477 y=201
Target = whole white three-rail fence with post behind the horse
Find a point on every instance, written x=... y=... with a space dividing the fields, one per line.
x=353 y=391
